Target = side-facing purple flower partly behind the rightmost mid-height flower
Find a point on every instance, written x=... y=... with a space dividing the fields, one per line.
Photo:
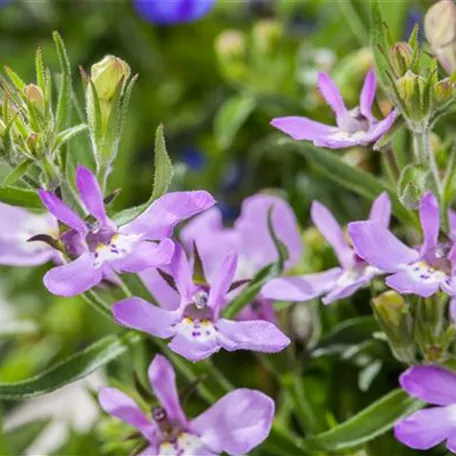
x=336 y=283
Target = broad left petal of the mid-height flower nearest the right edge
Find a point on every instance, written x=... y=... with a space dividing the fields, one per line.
x=379 y=247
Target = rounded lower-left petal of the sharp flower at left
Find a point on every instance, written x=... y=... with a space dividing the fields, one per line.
x=73 y=278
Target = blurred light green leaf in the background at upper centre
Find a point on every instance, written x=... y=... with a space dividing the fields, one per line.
x=230 y=118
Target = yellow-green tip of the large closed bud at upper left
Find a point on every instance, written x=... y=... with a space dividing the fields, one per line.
x=107 y=74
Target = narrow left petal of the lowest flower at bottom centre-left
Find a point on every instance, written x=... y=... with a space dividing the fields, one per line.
x=121 y=406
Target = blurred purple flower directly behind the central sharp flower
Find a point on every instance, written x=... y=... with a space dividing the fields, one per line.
x=251 y=241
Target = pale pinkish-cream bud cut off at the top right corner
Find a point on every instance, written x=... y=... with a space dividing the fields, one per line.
x=440 y=30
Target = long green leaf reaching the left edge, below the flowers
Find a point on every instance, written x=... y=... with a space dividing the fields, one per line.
x=71 y=369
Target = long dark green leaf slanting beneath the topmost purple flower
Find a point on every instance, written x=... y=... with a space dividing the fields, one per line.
x=354 y=179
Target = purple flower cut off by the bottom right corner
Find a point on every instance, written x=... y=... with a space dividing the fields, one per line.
x=427 y=428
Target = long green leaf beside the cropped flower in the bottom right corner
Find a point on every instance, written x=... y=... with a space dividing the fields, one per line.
x=368 y=424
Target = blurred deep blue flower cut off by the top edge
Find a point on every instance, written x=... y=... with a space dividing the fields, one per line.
x=167 y=12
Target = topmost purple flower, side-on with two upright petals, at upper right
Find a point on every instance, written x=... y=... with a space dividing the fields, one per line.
x=355 y=127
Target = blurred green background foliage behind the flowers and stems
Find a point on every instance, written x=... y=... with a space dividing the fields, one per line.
x=215 y=83
